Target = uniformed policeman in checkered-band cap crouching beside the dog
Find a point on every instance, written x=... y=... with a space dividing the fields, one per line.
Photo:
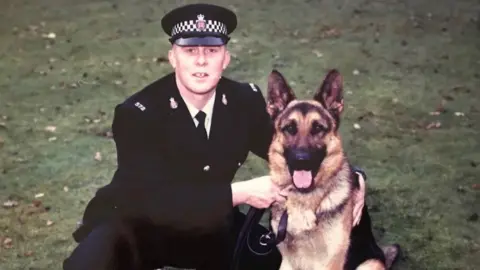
x=180 y=141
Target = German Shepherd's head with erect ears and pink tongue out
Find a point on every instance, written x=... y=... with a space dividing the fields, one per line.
x=306 y=148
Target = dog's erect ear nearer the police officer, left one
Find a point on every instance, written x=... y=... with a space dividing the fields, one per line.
x=279 y=94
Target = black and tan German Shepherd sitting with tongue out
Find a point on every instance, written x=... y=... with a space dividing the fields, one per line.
x=307 y=153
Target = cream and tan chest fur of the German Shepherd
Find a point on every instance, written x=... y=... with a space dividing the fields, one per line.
x=317 y=234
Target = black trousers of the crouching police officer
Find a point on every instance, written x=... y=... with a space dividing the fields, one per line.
x=137 y=246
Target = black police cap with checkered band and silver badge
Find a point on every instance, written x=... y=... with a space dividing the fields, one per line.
x=199 y=24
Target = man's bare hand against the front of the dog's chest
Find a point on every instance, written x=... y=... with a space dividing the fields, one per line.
x=259 y=192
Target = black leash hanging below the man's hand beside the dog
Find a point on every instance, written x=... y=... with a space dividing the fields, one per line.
x=253 y=217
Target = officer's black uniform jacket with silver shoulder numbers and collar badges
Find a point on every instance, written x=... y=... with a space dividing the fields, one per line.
x=165 y=174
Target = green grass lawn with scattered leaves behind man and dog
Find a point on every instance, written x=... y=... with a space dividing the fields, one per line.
x=422 y=183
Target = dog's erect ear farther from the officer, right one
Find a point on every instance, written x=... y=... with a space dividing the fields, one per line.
x=330 y=94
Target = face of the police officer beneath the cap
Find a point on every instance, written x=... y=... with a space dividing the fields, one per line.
x=199 y=68
